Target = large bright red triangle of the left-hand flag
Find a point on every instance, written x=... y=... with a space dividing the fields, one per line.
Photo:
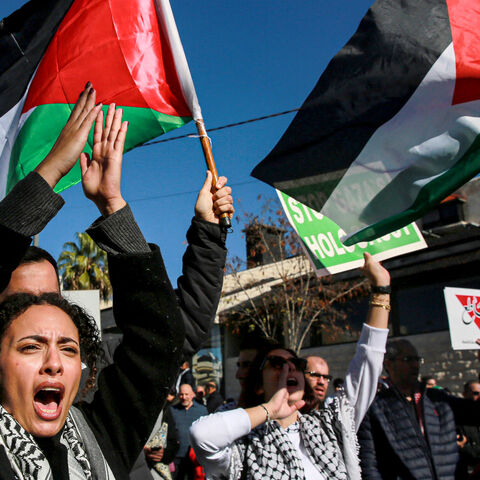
x=120 y=48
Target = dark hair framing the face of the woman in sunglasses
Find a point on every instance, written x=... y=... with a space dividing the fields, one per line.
x=254 y=379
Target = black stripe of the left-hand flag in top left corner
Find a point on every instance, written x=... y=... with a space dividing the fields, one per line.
x=24 y=37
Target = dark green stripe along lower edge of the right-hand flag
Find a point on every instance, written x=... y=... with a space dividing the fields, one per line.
x=431 y=194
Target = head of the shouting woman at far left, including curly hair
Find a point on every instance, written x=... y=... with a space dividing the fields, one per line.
x=43 y=341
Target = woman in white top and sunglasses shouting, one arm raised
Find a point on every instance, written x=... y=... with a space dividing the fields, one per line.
x=270 y=439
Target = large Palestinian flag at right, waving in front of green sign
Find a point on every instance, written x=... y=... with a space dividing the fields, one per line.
x=392 y=126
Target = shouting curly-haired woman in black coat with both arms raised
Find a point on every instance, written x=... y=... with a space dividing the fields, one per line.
x=44 y=339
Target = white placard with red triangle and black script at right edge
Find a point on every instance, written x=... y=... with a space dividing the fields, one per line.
x=463 y=310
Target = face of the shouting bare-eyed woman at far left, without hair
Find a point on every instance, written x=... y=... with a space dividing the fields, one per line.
x=40 y=369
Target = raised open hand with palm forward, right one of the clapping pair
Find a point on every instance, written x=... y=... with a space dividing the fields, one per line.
x=102 y=173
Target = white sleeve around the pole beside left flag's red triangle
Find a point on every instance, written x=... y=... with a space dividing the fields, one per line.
x=169 y=27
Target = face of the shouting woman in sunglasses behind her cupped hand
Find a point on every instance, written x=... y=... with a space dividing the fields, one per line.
x=271 y=374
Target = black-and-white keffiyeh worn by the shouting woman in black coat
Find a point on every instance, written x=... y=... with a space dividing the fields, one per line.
x=29 y=462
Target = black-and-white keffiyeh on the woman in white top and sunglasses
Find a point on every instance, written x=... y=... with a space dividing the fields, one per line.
x=328 y=436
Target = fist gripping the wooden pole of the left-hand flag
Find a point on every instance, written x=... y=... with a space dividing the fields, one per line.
x=210 y=206
